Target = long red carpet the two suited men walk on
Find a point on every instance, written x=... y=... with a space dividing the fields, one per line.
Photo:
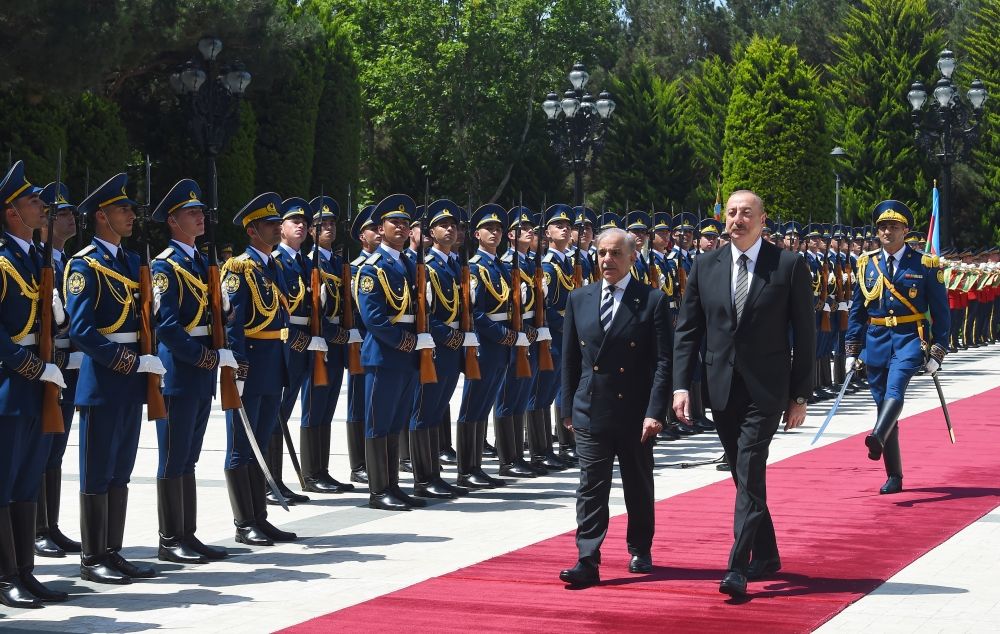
x=839 y=540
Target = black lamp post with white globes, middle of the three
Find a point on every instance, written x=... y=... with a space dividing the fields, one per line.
x=577 y=125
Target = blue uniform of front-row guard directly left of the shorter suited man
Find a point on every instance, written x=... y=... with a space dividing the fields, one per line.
x=558 y=275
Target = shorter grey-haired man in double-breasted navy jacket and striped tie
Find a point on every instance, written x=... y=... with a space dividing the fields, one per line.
x=615 y=395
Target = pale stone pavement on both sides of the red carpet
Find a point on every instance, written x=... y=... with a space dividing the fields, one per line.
x=349 y=553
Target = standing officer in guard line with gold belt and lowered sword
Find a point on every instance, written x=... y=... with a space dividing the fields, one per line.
x=258 y=335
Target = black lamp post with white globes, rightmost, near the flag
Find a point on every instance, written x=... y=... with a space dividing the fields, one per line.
x=947 y=129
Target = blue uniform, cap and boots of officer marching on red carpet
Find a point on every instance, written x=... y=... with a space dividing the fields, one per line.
x=894 y=300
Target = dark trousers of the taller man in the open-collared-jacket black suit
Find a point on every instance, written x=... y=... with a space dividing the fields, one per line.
x=746 y=434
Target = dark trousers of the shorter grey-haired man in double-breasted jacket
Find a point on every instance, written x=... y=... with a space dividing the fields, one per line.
x=597 y=452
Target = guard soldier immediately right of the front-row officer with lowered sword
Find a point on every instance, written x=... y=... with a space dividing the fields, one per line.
x=320 y=402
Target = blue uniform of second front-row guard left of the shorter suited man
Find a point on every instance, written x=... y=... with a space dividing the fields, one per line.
x=511 y=403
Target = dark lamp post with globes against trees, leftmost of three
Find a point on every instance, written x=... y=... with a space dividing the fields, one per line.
x=211 y=95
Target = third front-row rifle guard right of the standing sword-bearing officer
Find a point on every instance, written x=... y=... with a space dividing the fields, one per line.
x=444 y=310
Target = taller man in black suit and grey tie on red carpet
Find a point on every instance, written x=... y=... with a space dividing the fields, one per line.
x=744 y=301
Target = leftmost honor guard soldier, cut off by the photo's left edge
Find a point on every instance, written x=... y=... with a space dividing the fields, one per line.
x=24 y=451
